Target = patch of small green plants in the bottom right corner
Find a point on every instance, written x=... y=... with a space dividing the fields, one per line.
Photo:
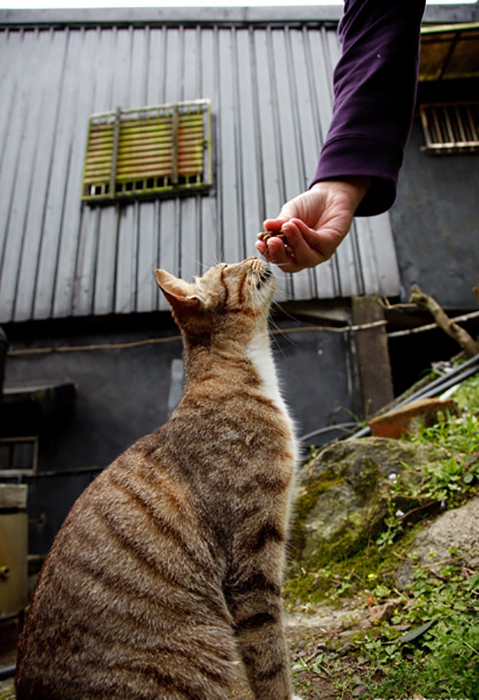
x=438 y=655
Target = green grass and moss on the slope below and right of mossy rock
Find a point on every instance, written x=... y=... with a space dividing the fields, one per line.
x=428 y=645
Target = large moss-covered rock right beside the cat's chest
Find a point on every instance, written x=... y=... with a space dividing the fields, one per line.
x=344 y=496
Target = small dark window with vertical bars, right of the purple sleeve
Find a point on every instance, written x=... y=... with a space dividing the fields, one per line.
x=451 y=128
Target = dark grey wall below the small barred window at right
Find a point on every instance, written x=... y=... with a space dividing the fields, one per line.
x=435 y=223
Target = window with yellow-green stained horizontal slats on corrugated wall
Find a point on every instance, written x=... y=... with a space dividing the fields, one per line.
x=148 y=152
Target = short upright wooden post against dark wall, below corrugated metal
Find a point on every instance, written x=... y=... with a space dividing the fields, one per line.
x=372 y=355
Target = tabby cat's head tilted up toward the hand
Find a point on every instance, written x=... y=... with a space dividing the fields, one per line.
x=240 y=293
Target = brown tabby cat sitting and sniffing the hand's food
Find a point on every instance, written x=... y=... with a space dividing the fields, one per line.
x=168 y=569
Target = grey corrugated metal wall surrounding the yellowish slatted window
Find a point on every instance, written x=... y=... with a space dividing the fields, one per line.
x=270 y=87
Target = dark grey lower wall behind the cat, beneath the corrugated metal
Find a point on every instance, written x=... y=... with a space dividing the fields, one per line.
x=122 y=394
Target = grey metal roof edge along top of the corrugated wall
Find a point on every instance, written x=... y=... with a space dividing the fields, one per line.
x=170 y=15
